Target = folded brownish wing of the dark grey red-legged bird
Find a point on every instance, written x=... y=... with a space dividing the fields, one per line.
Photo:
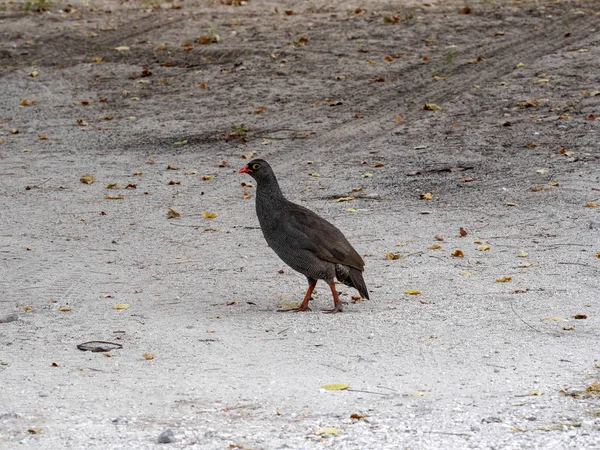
x=321 y=237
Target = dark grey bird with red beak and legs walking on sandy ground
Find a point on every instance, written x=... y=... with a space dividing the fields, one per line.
x=305 y=241
